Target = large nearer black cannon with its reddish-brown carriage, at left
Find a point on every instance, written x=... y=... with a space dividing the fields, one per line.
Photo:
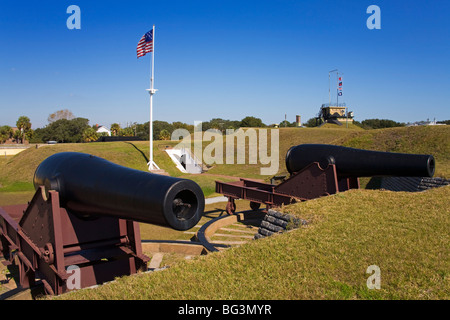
x=81 y=227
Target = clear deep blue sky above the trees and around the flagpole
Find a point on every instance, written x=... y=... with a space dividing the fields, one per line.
x=224 y=59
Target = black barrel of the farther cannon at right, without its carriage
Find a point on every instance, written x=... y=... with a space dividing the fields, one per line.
x=352 y=162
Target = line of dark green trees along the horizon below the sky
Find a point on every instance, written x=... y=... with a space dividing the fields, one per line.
x=63 y=127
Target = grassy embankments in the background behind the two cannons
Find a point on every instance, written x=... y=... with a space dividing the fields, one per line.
x=16 y=172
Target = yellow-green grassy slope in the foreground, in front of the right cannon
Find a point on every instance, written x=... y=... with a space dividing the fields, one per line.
x=405 y=234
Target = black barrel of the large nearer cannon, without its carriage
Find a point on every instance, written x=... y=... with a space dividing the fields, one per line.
x=90 y=186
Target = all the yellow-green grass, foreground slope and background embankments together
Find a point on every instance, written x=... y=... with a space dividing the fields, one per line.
x=405 y=234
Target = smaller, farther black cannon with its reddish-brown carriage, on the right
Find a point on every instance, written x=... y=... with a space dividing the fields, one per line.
x=318 y=170
